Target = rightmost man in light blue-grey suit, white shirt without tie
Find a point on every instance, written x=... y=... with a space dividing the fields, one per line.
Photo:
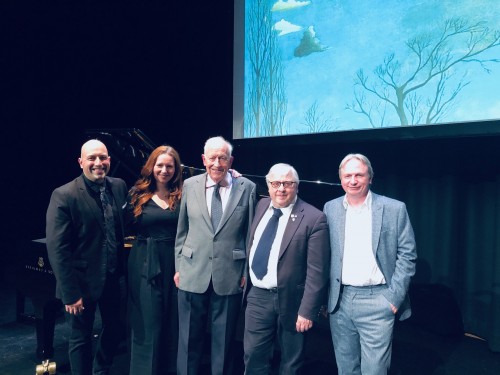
x=373 y=259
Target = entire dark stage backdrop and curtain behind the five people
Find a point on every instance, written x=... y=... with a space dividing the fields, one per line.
x=166 y=68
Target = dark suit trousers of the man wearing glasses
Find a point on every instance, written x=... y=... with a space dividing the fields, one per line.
x=262 y=325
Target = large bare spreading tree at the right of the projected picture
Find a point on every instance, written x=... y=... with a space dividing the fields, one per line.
x=422 y=93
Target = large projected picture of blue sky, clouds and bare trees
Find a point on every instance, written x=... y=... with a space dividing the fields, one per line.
x=333 y=65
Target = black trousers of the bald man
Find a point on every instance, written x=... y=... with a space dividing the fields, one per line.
x=113 y=330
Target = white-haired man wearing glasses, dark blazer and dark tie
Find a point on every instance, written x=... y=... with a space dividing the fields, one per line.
x=287 y=273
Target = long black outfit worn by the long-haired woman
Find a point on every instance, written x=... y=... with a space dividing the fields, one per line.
x=152 y=292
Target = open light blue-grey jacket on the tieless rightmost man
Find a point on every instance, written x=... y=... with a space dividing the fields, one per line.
x=393 y=243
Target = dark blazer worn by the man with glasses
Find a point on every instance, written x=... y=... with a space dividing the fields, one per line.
x=304 y=262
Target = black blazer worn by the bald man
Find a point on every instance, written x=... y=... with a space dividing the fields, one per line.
x=76 y=238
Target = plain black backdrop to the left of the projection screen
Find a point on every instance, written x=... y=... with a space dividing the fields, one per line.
x=66 y=66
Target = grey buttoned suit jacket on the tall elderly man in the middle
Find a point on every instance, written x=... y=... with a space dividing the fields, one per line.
x=201 y=254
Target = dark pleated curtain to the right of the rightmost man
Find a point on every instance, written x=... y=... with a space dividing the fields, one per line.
x=457 y=226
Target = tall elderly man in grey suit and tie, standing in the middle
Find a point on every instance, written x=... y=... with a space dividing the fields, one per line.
x=216 y=212
